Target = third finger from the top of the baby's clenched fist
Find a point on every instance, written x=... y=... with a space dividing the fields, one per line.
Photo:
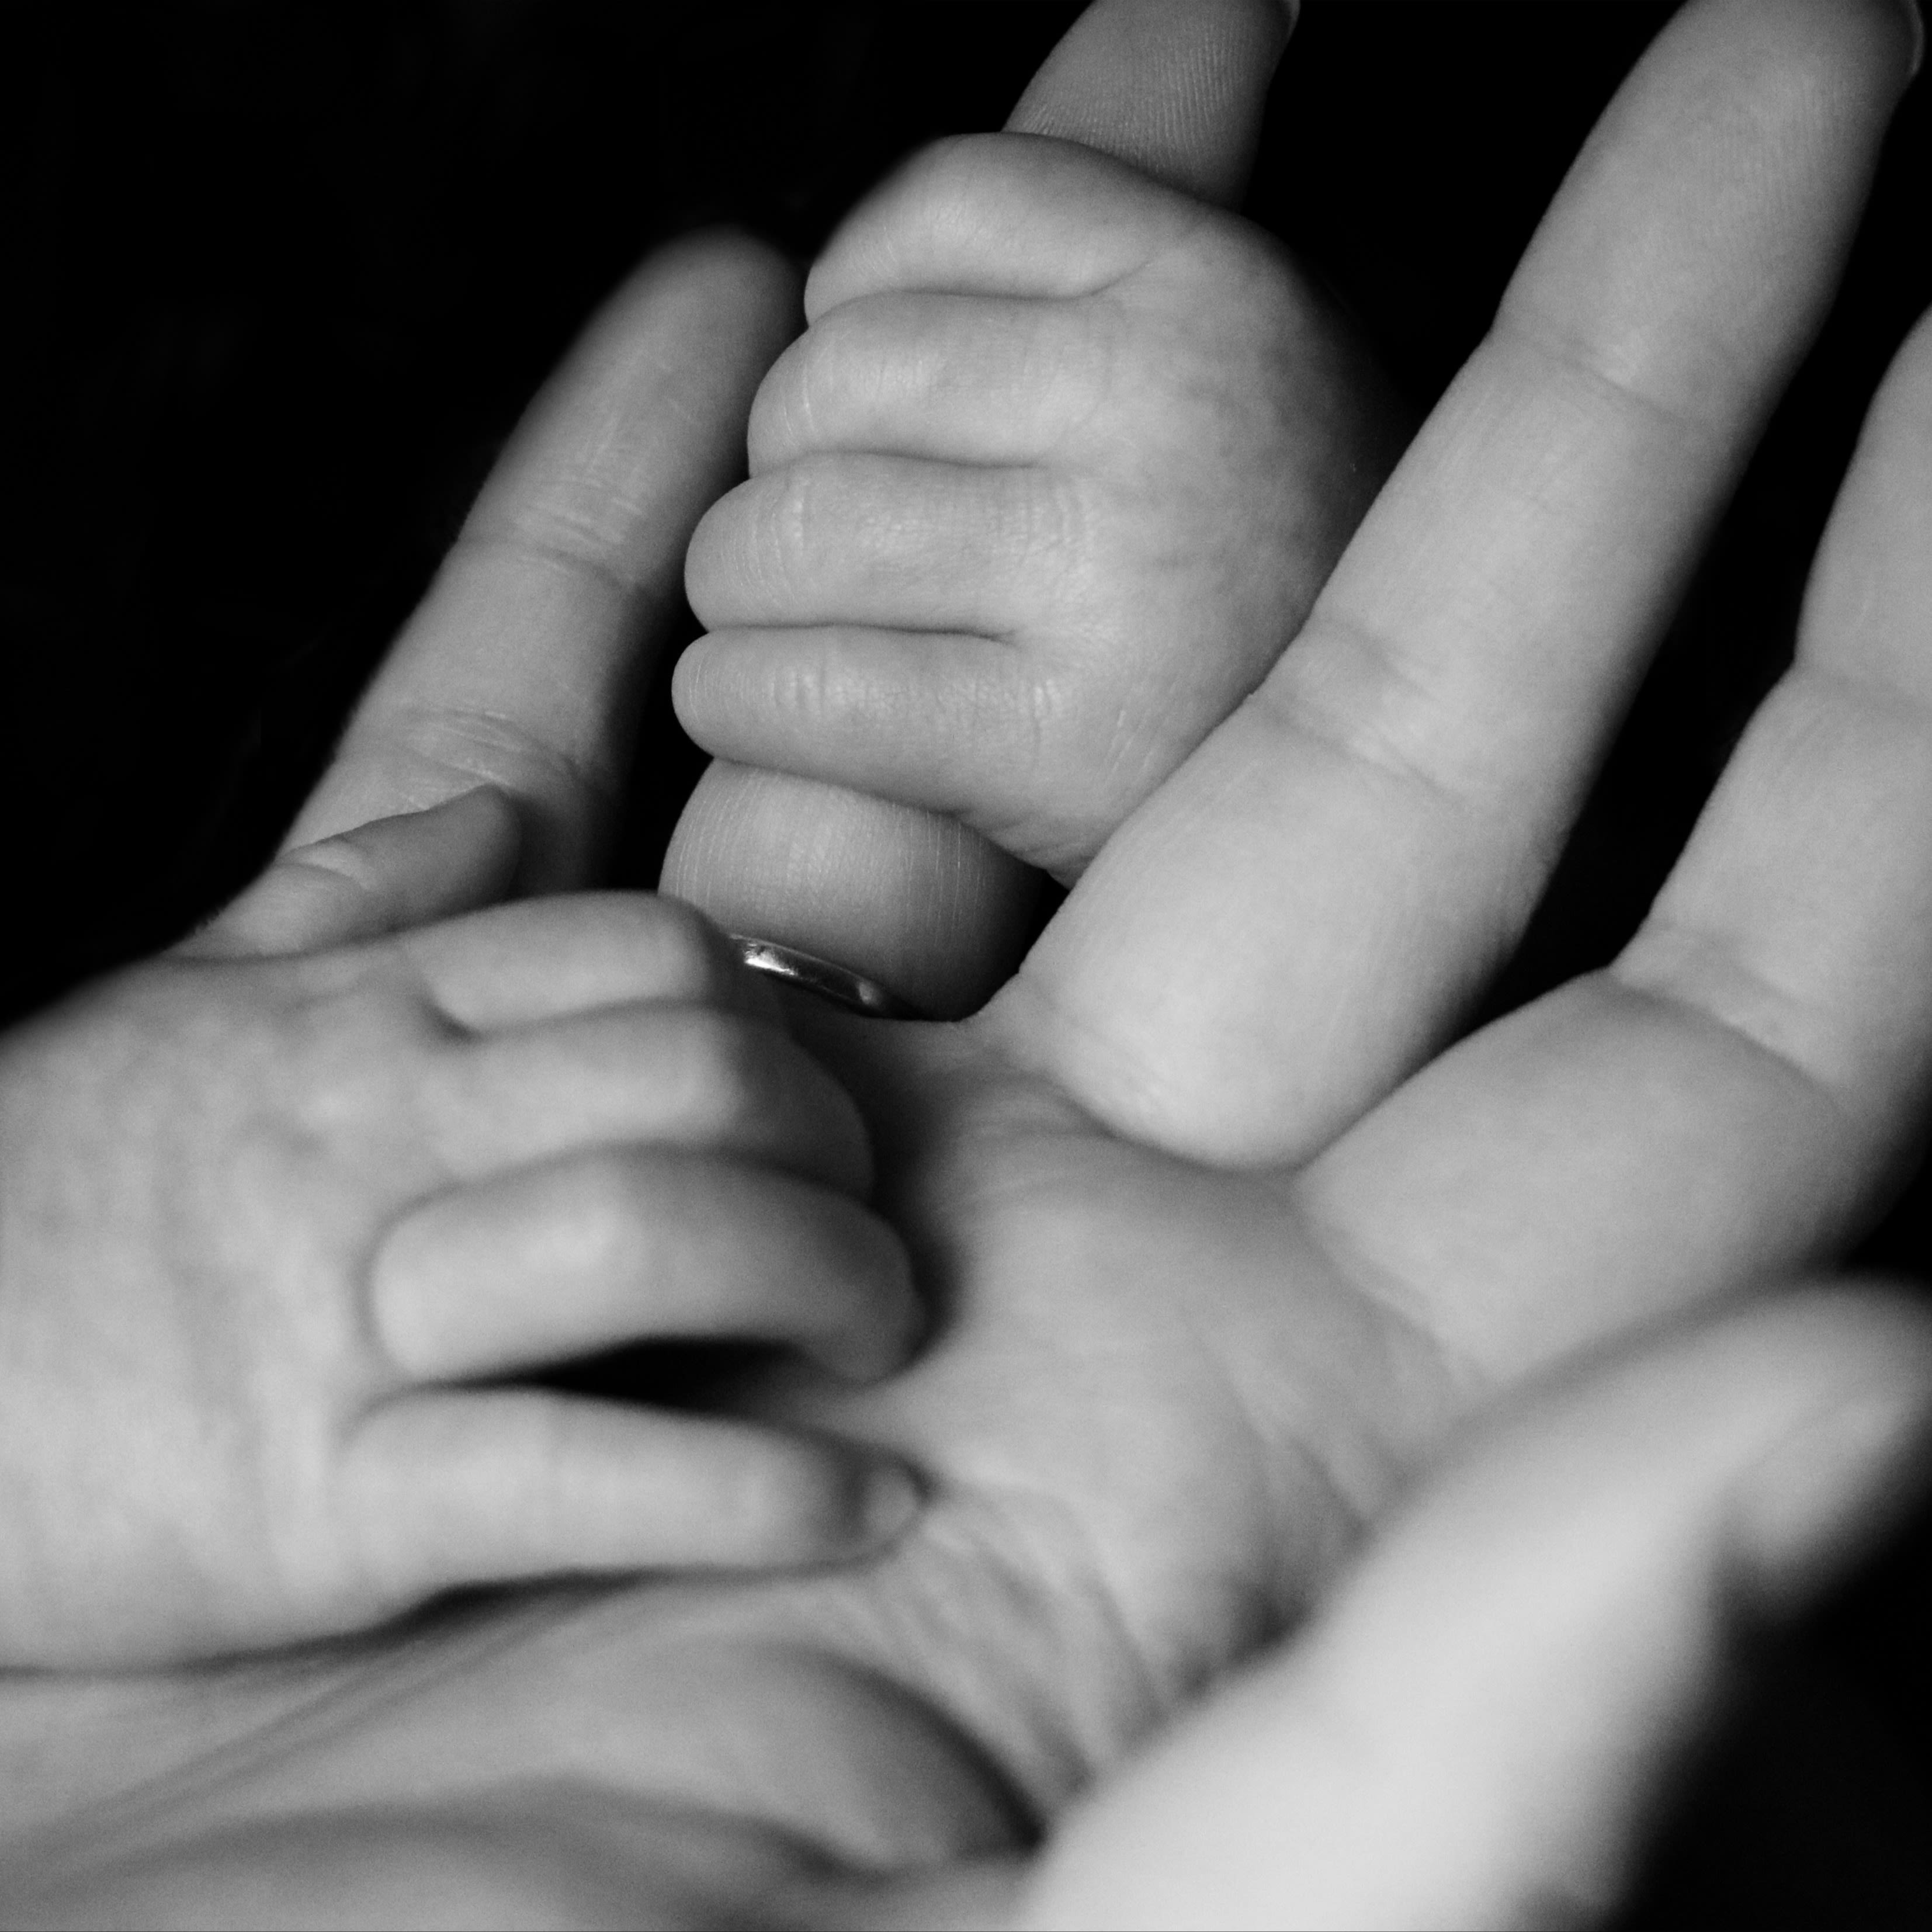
x=847 y=538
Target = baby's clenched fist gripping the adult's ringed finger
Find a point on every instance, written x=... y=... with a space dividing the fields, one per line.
x=1035 y=503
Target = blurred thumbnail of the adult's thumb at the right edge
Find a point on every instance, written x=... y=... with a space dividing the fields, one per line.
x=1833 y=1489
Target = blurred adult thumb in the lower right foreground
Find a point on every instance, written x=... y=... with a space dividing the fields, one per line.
x=1477 y=1728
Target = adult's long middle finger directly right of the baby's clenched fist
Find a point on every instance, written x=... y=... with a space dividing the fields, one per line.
x=1309 y=905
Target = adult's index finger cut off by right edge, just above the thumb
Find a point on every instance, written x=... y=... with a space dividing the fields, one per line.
x=1734 y=1096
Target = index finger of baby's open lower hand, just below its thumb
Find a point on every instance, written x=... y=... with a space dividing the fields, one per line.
x=548 y=957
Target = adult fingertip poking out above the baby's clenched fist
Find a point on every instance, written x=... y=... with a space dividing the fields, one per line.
x=1174 y=88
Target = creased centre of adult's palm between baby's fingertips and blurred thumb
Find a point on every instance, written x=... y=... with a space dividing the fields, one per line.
x=1152 y=1419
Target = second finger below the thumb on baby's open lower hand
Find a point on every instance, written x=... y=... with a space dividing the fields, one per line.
x=652 y=1073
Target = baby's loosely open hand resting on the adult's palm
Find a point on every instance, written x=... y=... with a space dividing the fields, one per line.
x=281 y=1237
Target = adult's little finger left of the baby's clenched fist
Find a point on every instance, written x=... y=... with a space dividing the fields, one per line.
x=525 y=664
